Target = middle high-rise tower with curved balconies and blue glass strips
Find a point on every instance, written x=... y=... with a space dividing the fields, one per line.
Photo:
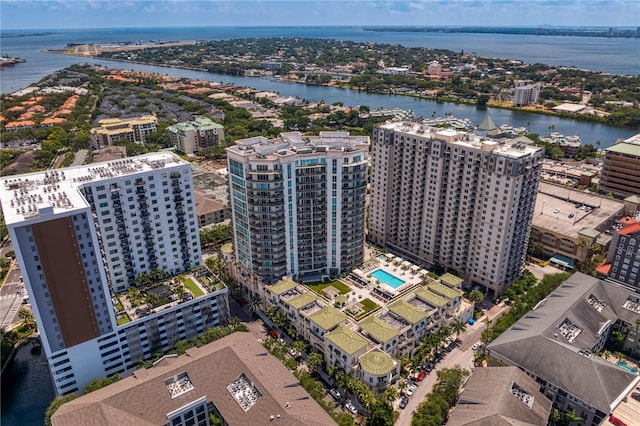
x=298 y=204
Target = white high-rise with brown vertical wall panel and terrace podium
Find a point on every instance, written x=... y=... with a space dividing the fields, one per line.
x=81 y=236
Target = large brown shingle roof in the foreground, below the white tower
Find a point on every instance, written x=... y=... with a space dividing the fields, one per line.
x=143 y=399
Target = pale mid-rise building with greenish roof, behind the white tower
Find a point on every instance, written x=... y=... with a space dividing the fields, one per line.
x=195 y=135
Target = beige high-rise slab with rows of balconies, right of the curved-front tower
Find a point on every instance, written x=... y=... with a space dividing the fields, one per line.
x=440 y=196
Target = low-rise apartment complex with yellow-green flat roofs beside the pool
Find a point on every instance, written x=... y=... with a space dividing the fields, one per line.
x=368 y=346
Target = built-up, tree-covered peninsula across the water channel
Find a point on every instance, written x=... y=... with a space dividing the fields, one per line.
x=441 y=75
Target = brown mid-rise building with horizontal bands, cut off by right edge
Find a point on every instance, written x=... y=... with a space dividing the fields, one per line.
x=621 y=169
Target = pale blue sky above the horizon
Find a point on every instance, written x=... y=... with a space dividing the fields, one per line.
x=43 y=14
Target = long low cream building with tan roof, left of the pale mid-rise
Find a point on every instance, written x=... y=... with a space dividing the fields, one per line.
x=131 y=129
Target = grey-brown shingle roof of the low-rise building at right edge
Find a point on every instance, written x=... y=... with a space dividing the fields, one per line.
x=535 y=343
